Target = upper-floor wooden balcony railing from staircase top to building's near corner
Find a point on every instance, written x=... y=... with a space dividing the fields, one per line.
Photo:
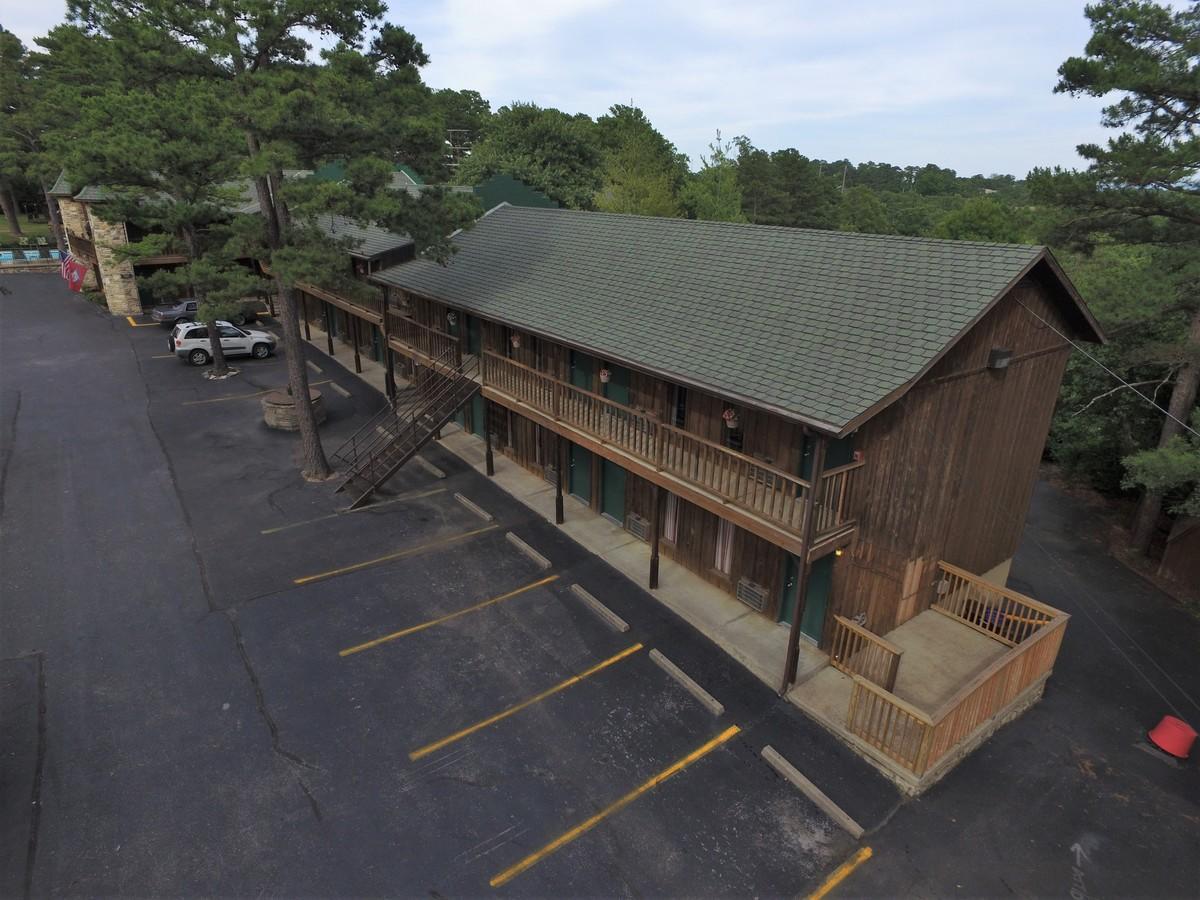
x=737 y=479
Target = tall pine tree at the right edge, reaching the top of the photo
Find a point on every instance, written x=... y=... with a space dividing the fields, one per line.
x=1142 y=185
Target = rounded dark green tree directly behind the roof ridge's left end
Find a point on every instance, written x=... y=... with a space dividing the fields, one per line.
x=551 y=152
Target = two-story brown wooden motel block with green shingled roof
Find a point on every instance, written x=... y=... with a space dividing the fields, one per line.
x=826 y=425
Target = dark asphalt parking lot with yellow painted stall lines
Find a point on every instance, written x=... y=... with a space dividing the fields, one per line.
x=232 y=687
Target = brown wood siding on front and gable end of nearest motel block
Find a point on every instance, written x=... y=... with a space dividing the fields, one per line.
x=949 y=473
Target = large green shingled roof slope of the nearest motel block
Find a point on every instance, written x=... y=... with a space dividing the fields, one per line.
x=820 y=326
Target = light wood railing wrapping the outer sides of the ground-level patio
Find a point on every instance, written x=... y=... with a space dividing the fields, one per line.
x=917 y=740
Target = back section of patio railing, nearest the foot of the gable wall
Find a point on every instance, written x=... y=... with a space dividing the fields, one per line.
x=1001 y=614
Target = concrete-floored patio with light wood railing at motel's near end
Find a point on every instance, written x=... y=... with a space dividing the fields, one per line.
x=964 y=667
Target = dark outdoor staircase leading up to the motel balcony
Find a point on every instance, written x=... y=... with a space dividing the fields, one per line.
x=377 y=451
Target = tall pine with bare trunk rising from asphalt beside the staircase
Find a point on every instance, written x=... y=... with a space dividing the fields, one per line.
x=290 y=110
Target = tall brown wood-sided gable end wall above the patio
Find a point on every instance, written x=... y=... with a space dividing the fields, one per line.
x=951 y=466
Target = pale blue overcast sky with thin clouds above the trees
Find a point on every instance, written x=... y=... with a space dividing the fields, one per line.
x=963 y=85
